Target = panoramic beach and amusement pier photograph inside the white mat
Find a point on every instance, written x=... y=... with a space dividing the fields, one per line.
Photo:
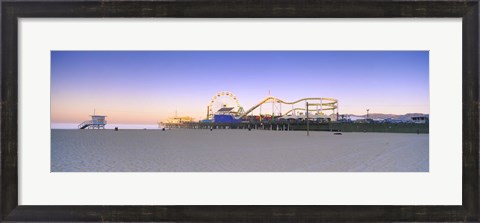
x=239 y=111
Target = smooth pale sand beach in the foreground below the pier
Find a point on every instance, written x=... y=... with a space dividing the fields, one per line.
x=189 y=150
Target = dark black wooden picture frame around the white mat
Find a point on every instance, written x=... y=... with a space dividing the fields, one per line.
x=466 y=9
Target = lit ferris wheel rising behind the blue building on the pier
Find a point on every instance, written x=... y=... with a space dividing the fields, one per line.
x=224 y=99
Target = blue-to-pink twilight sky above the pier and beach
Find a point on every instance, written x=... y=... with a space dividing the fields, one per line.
x=145 y=87
